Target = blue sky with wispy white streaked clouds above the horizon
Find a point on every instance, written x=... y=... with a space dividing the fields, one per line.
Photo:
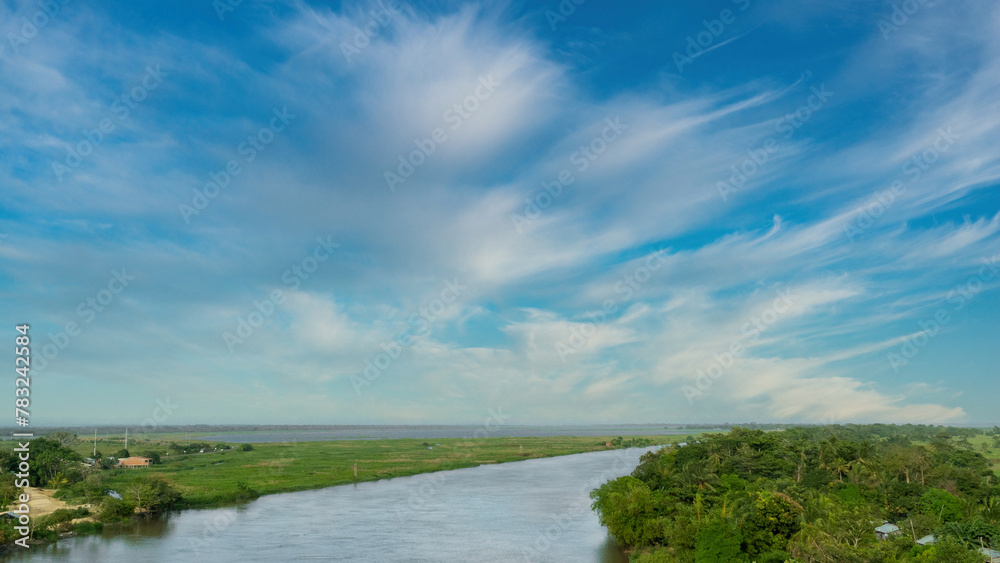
x=721 y=211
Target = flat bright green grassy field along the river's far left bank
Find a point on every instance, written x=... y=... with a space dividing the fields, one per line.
x=211 y=478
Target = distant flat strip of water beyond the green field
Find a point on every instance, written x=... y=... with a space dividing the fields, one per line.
x=438 y=432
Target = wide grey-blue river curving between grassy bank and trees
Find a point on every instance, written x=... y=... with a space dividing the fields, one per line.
x=536 y=510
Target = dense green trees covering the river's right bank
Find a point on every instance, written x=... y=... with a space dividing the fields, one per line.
x=808 y=494
